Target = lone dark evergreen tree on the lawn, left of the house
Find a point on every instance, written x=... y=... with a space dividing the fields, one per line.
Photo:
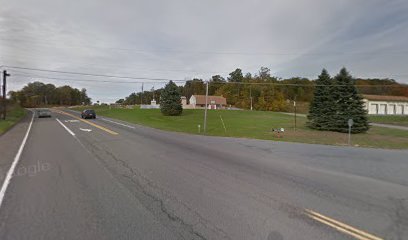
x=170 y=100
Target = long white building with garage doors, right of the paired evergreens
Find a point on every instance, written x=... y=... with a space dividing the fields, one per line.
x=386 y=105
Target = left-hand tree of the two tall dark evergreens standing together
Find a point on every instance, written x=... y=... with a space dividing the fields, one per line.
x=322 y=107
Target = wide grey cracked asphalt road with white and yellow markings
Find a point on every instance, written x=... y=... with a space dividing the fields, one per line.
x=114 y=180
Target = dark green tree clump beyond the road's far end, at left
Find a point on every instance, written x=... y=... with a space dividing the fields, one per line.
x=38 y=94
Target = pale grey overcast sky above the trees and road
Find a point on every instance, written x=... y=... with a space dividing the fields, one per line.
x=199 y=38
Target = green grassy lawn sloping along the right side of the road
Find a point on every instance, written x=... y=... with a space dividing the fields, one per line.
x=255 y=124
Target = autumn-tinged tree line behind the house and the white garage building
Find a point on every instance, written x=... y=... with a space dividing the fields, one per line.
x=266 y=92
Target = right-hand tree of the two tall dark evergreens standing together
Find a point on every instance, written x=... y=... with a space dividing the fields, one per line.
x=349 y=104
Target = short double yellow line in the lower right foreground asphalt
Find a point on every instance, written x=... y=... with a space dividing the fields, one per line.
x=349 y=230
